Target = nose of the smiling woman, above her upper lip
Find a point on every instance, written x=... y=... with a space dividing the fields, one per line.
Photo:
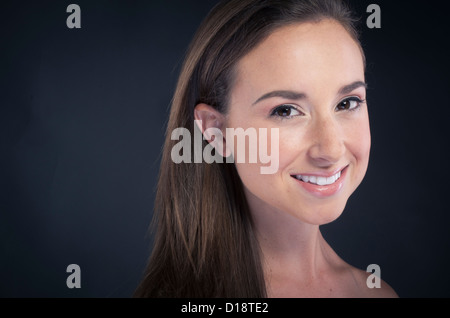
x=327 y=142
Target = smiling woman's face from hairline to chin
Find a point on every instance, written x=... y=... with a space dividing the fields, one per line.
x=307 y=80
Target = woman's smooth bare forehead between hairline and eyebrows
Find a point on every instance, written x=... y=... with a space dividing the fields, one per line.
x=305 y=56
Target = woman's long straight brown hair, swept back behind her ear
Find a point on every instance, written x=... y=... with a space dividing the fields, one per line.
x=205 y=245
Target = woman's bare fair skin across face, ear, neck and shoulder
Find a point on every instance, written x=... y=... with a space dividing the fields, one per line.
x=320 y=132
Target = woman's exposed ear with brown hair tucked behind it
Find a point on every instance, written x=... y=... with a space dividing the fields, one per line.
x=211 y=123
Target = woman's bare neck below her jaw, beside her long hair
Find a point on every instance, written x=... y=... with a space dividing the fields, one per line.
x=291 y=249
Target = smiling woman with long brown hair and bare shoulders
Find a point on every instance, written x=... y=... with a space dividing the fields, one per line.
x=295 y=68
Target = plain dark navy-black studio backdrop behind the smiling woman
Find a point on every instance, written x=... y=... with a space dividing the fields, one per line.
x=83 y=114
